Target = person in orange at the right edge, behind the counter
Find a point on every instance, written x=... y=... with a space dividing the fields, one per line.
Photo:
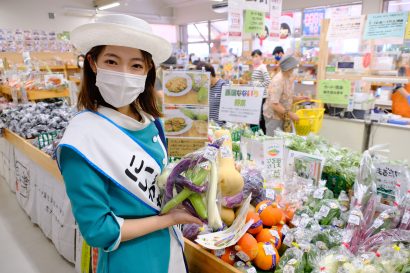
x=401 y=93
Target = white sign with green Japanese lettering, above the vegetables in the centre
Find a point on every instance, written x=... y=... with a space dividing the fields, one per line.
x=241 y=104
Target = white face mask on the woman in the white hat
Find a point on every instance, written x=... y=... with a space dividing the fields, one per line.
x=119 y=89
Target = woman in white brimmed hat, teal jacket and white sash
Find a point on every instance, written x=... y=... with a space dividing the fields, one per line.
x=113 y=150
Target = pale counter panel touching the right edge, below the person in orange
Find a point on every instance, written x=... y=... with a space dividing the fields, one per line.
x=396 y=136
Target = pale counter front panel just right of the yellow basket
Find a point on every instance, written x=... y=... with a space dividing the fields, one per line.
x=348 y=133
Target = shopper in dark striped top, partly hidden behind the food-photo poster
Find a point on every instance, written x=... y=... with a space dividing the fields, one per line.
x=214 y=92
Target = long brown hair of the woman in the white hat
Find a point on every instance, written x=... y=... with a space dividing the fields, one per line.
x=90 y=97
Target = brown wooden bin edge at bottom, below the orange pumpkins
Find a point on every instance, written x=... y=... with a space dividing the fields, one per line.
x=201 y=261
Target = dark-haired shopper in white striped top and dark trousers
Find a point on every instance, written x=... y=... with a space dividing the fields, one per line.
x=261 y=78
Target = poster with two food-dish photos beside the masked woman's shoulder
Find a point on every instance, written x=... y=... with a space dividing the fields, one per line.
x=186 y=110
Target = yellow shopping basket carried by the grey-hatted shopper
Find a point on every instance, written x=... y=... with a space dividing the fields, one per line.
x=310 y=113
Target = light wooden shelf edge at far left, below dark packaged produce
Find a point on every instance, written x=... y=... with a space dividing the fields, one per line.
x=33 y=153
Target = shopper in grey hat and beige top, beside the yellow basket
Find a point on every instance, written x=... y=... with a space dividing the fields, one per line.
x=277 y=107
